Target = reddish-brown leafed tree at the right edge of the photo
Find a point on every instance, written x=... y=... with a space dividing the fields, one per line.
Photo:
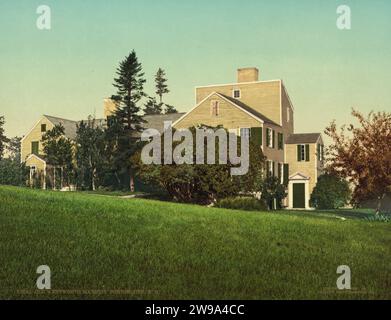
x=362 y=154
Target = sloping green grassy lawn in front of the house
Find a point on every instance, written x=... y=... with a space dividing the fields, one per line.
x=157 y=250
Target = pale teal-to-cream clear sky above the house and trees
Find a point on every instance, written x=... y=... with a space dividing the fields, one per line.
x=68 y=71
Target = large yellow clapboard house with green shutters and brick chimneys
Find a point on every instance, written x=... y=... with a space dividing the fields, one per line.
x=295 y=158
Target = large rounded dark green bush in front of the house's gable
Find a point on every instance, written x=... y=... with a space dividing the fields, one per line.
x=202 y=183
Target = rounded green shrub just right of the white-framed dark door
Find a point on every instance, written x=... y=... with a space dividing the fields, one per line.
x=331 y=192
